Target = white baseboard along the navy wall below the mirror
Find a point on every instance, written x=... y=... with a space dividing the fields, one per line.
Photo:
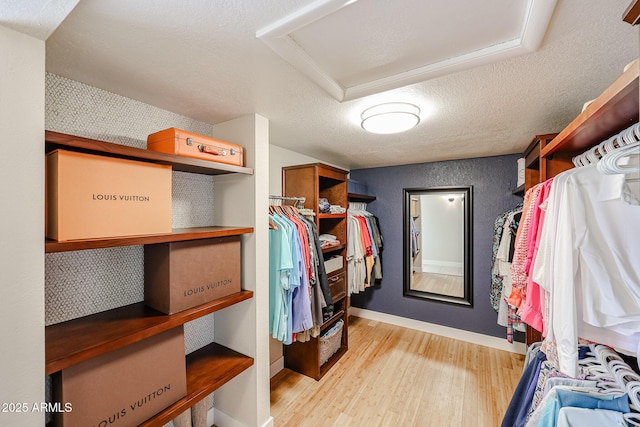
x=446 y=331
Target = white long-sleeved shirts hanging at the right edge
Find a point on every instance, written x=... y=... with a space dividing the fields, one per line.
x=584 y=263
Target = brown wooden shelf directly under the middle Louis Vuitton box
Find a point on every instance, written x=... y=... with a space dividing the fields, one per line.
x=74 y=341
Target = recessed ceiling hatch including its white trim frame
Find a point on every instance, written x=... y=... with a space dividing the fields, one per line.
x=395 y=44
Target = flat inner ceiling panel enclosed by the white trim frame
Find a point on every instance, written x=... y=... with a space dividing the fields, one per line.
x=393 y=40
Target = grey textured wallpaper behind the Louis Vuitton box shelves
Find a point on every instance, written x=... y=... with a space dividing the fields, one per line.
x=86 y=282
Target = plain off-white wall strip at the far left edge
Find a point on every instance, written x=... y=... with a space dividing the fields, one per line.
x=22 y=71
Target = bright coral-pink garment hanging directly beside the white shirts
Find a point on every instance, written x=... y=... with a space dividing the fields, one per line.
x=532 y=306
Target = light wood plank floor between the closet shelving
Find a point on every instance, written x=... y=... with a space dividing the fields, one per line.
x=393 y=376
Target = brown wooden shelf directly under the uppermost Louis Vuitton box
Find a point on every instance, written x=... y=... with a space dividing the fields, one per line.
x=177 y=235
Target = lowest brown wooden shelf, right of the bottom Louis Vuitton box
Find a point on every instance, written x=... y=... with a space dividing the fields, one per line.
x=208 y=369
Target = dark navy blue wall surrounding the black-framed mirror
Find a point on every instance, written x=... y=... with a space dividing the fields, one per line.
x=493 y=180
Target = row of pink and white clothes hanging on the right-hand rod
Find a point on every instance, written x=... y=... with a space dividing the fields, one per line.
x=572 y=271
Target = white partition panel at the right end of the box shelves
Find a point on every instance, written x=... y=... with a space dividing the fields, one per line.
x=241 y=200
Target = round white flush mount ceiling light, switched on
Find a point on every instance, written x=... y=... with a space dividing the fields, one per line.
x=391 y=117
